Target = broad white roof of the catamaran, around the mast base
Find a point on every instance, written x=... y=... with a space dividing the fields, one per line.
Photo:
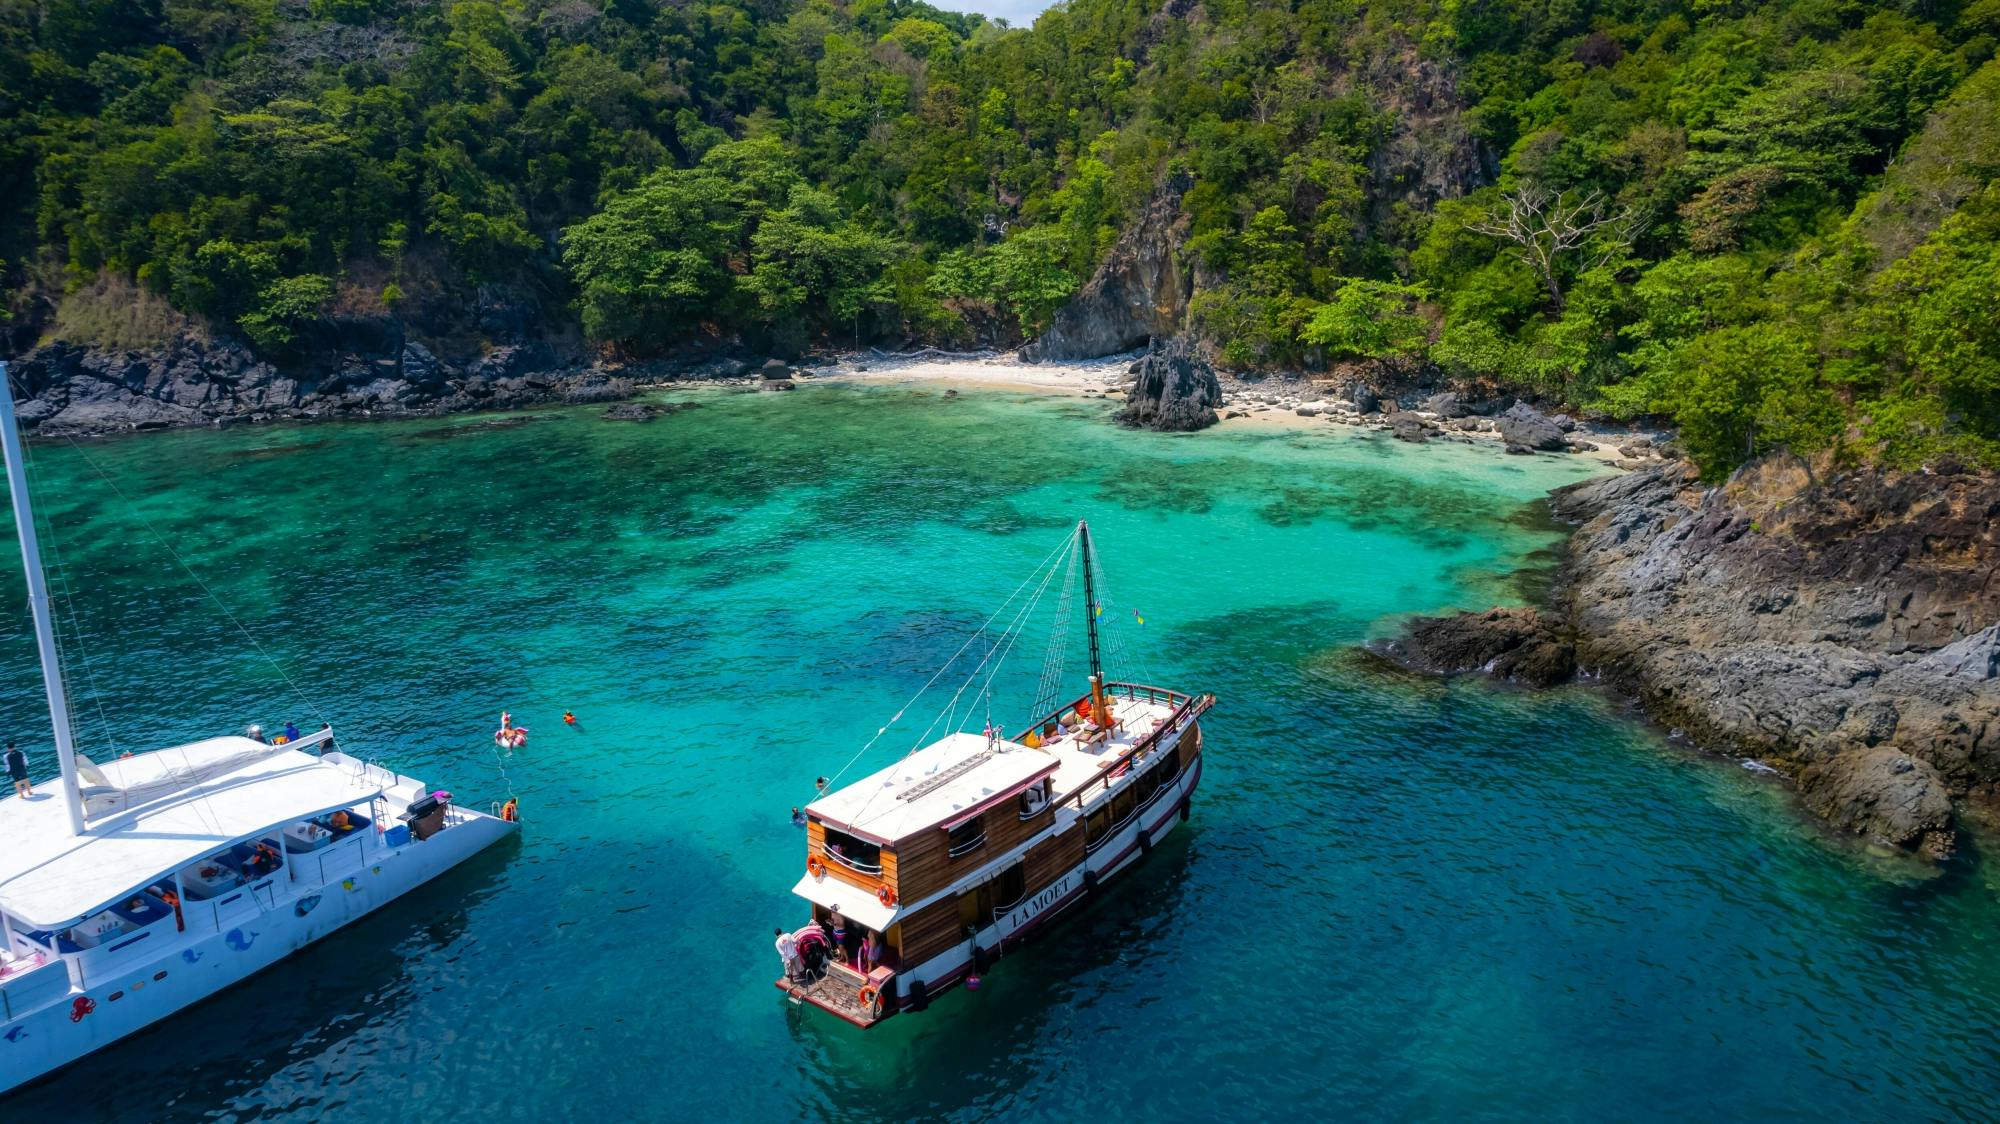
x=51 y=879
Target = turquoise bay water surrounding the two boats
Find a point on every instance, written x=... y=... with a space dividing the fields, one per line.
x=1395 y=899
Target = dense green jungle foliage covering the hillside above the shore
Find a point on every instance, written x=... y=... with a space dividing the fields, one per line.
x=1775 y=223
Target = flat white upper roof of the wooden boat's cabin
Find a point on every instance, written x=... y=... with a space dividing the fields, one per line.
x=941 y=783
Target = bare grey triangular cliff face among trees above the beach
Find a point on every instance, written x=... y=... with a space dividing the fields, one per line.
x=1139 y=293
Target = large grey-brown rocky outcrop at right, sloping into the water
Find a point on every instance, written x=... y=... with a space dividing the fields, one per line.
x=1843 y=627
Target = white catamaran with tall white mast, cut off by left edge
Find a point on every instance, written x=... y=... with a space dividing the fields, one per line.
x=139 y=887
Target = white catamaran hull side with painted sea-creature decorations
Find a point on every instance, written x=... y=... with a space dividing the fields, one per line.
x=69 y=1009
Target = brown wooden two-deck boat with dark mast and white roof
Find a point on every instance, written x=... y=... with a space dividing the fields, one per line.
x=927 y=871
